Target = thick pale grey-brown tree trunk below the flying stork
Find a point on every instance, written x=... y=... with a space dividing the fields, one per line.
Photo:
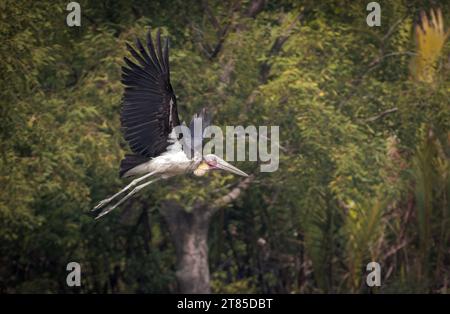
x=190 y=235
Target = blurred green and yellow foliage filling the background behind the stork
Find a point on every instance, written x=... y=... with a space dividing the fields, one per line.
x=364 y=122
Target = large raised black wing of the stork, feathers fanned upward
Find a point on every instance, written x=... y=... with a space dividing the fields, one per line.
x=149 y=110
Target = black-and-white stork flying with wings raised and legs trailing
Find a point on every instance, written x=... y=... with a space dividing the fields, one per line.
x=149 y=117
